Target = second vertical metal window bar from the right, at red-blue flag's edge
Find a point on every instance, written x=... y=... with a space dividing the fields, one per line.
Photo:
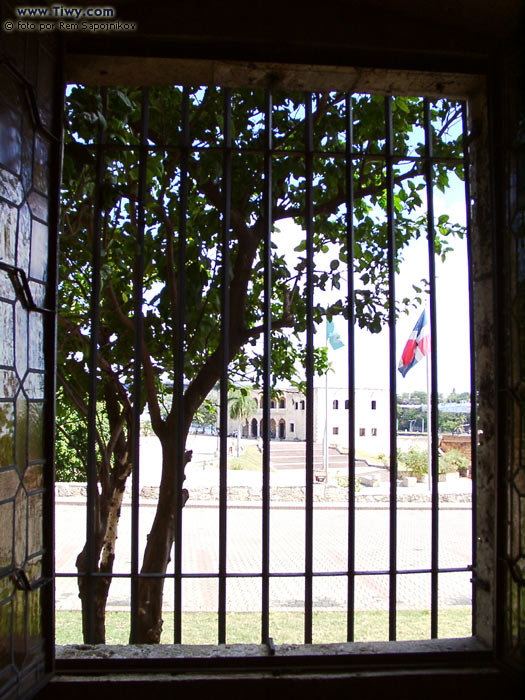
x=429 y=181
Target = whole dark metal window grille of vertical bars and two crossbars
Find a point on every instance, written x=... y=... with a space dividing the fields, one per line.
x=349 y=157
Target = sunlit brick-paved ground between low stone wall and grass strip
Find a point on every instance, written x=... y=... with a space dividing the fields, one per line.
x=201 y=545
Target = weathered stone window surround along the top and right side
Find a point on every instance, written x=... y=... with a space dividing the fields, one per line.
x=103 y=70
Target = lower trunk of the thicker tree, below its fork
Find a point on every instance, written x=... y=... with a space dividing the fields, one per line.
x=159 y=544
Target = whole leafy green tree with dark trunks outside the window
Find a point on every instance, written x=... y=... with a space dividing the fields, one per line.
x=159 y=301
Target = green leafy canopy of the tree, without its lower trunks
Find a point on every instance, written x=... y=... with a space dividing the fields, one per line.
x=203 y=222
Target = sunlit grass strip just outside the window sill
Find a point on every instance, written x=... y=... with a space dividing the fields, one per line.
x=285 y=627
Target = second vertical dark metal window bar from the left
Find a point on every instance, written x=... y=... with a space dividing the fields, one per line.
x=138 y=284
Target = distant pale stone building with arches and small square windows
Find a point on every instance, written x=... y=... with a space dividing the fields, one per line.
x=288 y=417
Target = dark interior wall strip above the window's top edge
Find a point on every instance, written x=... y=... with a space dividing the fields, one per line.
x=406 y=33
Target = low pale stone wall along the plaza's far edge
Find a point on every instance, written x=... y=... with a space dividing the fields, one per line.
x=284 y=494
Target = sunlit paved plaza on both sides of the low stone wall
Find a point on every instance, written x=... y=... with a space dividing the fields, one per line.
x=200 y=547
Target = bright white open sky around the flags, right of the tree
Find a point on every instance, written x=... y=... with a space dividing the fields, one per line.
x=452 y=309
